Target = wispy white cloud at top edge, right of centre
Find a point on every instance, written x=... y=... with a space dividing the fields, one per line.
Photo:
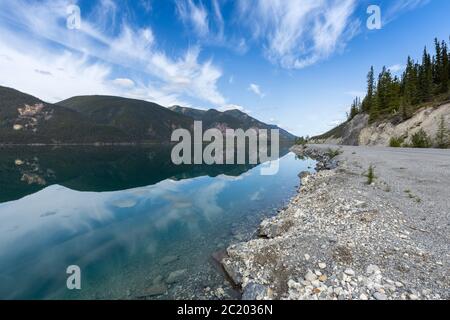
x=299 y=33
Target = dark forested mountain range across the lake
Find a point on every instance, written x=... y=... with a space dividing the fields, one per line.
x=25 y=119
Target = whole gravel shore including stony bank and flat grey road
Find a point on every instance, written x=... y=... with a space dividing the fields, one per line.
x=341 y=238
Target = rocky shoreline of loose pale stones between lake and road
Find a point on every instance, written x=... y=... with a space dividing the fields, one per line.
x=339 y=239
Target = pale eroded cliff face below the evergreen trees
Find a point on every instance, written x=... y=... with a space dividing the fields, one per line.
x=358 y=131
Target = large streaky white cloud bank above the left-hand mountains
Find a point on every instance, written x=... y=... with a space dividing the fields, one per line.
x=170 y=80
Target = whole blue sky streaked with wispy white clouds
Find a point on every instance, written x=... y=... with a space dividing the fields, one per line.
x=295 y=63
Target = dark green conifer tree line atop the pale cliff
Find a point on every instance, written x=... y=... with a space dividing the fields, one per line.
x=421 y=82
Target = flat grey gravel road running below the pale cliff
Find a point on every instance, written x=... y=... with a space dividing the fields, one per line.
x=420 y=175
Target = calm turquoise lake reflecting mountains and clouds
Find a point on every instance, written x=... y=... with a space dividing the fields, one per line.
x=138 y=226
